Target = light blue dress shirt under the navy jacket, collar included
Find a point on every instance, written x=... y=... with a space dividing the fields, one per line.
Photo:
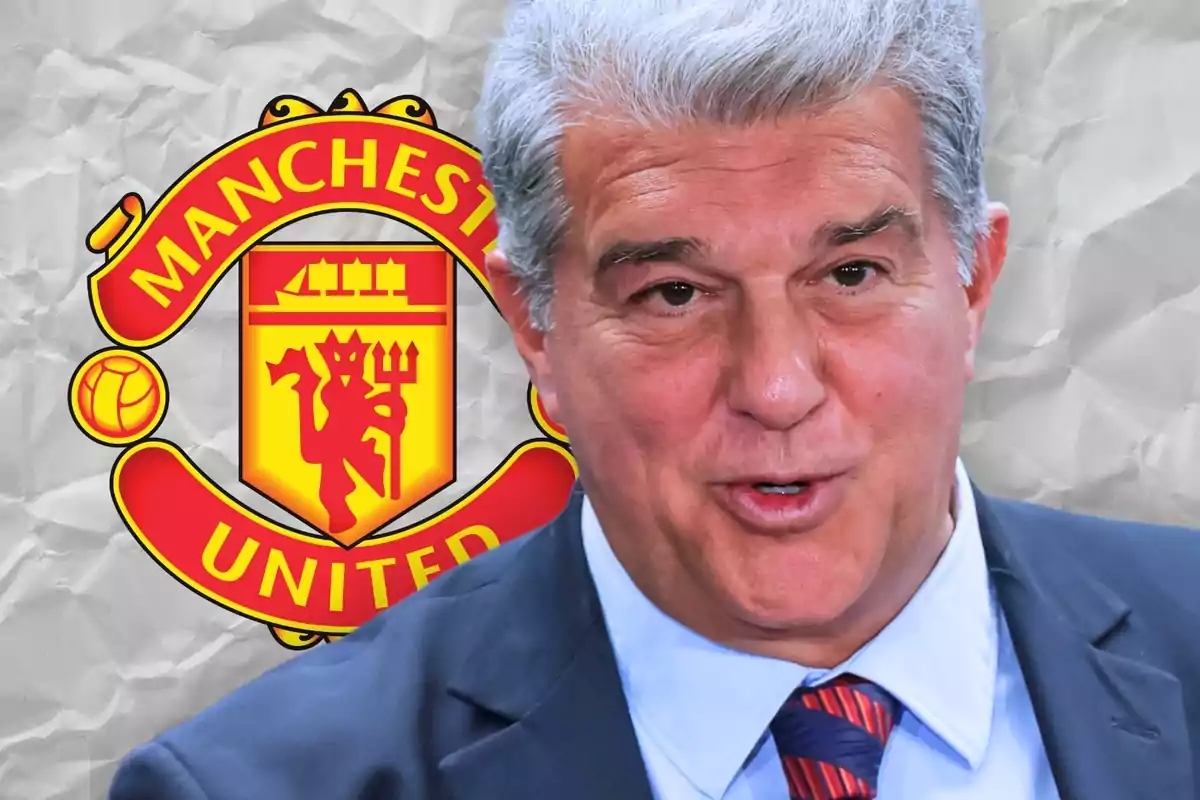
x=701 y=711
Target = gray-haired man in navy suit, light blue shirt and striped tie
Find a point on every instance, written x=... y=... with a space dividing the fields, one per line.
x=746 y=255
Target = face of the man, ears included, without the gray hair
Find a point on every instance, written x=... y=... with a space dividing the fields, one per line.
x=760 y=347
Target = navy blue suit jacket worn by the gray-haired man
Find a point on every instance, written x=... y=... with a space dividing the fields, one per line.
x=499 y=681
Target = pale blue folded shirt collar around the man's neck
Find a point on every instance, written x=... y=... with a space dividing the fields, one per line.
x=938 y=658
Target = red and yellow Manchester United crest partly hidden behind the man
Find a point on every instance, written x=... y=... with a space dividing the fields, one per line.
x=347 y=375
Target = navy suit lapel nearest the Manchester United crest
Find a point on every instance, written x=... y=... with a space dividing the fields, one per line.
x=544 y=667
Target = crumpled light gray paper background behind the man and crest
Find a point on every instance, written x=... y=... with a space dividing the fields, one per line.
x=1087 y=395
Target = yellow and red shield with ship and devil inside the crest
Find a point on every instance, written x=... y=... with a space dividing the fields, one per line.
x=347 y=381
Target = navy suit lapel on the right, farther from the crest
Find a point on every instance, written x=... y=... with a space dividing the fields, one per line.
x=1114 y=727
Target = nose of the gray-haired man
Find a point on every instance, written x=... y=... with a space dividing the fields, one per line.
x=776 y=375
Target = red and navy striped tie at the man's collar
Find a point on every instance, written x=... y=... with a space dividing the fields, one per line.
x=832 y=738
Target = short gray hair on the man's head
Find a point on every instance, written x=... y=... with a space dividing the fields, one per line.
x=729 y=62
